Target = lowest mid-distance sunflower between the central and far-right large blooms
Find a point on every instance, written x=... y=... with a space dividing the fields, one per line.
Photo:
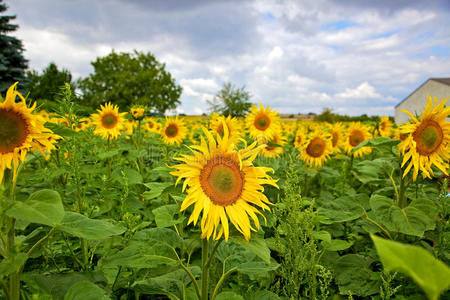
x=317 y=149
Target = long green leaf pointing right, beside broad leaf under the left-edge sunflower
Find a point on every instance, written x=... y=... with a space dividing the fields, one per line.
x=91 y=229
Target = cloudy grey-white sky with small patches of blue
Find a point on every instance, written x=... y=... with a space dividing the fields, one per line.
x=296 y=56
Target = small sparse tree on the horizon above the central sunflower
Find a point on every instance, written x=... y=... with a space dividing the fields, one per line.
x=231 y=101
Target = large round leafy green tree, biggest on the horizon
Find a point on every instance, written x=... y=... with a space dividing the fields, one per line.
x=130 y=78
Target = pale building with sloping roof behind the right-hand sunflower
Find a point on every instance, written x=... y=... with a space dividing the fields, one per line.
x=417 y=100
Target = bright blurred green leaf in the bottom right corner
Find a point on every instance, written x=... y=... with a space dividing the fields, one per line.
x=432 y=275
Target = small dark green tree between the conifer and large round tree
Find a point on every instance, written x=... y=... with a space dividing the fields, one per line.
x=48 y=85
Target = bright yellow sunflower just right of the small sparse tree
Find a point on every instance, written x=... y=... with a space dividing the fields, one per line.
x=263 y=122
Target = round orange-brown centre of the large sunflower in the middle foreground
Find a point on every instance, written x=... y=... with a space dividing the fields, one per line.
x=222 y=180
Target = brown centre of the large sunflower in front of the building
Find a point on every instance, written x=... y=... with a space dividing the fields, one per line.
x=428 y=136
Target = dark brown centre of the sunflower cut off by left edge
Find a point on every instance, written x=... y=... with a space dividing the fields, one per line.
x=13 y=130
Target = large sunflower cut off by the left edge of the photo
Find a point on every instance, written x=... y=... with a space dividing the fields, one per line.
x=21 y=131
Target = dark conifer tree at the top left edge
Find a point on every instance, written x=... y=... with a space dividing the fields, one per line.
x=12 y=62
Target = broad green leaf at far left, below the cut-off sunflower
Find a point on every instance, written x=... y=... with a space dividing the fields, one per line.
x=42 y=207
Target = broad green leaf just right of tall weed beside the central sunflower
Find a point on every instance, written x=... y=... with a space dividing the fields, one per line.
x=343 y=209
